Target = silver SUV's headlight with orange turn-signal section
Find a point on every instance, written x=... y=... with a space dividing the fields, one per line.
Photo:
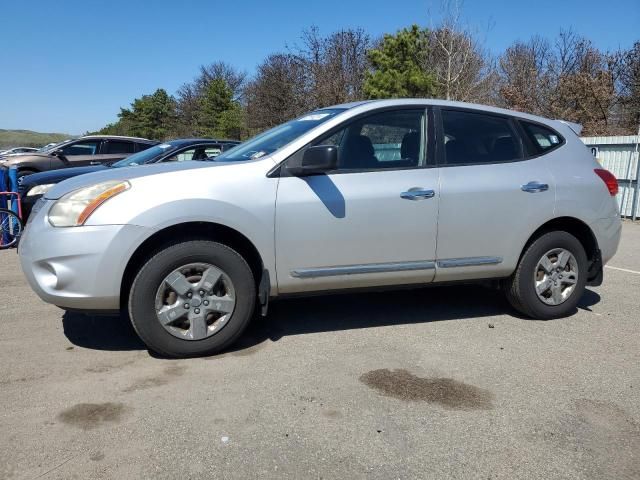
x=74 y=208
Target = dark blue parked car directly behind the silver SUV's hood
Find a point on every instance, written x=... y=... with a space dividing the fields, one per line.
x=32 y=187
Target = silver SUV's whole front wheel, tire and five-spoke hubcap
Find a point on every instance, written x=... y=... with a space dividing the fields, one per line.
x=192 y=298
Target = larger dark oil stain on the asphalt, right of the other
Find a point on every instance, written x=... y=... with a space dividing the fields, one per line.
x=446 y=392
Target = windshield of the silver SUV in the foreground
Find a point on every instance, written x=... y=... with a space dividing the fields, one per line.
x=271 y=140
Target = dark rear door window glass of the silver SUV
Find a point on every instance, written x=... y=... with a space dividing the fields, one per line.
x=476 y=138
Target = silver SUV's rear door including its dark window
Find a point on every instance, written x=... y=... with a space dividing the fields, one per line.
x=492 y=196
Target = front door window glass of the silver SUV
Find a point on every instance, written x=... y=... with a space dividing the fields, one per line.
x=391 y=139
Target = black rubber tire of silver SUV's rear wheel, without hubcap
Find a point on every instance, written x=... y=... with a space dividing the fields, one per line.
x=520 y=287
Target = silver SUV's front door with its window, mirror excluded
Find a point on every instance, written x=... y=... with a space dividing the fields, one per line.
x=371 y=222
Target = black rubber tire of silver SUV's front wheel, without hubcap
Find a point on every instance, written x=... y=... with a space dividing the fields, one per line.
x=143 y=292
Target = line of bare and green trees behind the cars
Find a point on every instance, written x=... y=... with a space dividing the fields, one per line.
x=566 y=78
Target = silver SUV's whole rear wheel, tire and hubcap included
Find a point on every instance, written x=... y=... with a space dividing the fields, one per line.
x=550 y=278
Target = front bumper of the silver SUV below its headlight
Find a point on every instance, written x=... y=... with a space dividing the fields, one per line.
x=78 y=268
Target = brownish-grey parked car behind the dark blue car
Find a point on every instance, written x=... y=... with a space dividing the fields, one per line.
x=89 y=150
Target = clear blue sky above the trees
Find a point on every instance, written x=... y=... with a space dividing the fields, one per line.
x=69 y=65
